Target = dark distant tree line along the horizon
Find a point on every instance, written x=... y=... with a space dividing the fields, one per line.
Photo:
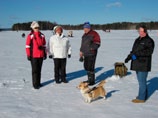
x=46 y=25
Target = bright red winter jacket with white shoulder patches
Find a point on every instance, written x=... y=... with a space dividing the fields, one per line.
x=35 y=45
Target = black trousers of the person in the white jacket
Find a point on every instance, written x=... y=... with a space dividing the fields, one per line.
x=60 y=69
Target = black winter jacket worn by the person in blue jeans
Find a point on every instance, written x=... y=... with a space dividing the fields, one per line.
x=143 y=49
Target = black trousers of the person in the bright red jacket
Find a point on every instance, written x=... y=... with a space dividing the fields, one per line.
x=36 y=64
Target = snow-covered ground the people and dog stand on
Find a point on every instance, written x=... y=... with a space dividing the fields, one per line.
x=19 y=99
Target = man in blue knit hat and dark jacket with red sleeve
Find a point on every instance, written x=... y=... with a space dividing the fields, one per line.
x=88 y=51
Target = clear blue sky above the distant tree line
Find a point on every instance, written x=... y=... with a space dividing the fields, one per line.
x=77 y=11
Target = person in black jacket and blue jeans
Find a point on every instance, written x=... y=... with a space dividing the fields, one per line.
x=141 y=56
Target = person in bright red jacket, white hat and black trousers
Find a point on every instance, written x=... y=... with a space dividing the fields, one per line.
x=36 y=52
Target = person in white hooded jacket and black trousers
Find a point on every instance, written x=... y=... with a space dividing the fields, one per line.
x=59 y=49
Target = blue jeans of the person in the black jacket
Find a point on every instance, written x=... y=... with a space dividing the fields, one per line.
x=142 y=81
